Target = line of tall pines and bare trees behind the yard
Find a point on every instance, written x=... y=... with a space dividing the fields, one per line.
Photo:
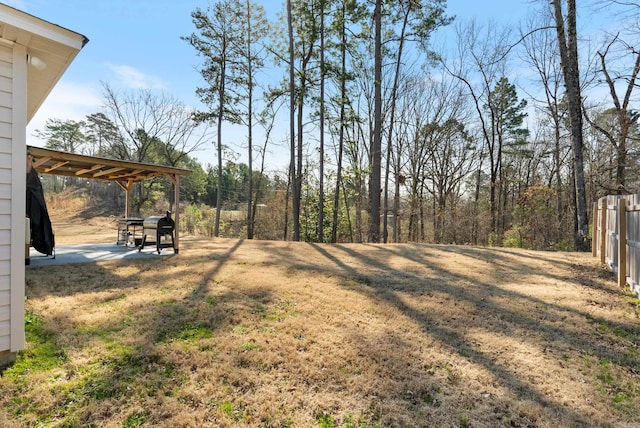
x=505 y=137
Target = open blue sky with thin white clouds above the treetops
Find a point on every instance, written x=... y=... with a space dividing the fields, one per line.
x=136 y=44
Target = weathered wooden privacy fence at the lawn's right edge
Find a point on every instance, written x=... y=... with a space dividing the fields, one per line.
x=616 y=237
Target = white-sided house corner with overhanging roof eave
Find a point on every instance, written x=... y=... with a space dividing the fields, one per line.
x=17 y=102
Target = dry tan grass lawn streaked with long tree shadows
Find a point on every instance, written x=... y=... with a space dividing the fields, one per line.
x=261 y=333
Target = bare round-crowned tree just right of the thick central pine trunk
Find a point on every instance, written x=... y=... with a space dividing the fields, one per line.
x=437 y=150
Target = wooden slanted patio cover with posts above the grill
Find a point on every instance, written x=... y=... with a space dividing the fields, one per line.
x=124 y=173
